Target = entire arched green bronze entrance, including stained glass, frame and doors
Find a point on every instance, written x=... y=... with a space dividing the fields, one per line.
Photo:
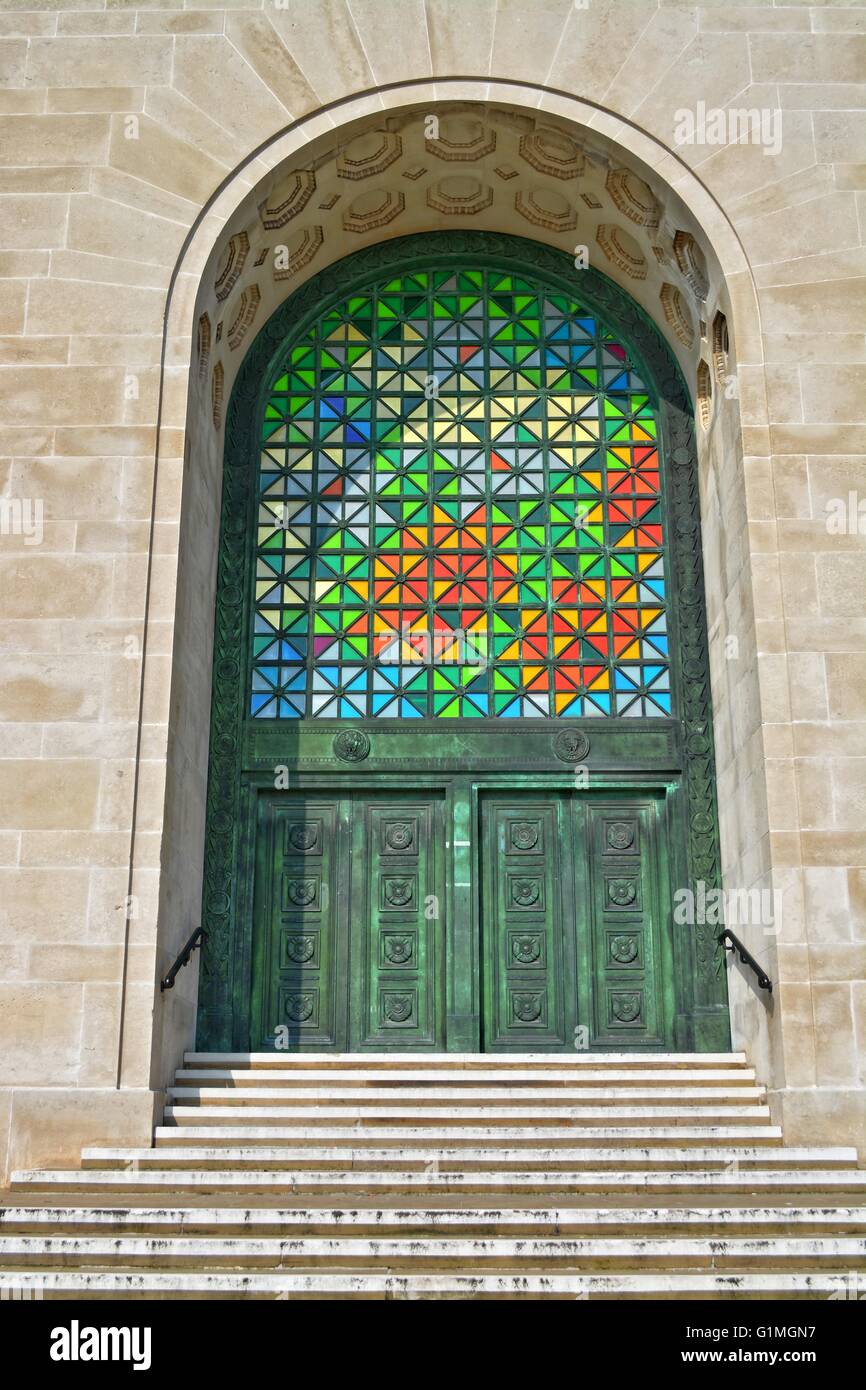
x=462 y=750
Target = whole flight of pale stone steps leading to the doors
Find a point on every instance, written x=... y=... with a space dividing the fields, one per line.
x=446 y=1177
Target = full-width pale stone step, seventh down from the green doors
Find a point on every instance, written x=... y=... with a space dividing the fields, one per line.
x=494 y=1182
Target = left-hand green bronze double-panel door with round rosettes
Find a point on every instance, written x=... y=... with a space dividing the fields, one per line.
x=348 y=929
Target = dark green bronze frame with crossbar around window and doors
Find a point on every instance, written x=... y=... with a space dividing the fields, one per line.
x=680 y=750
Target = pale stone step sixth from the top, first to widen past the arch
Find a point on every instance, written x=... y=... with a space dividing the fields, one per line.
x=288 y=1157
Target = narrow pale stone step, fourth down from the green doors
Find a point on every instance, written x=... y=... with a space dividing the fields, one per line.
x=528 y=1115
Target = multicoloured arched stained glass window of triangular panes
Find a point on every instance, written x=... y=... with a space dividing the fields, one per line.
x=459 y=512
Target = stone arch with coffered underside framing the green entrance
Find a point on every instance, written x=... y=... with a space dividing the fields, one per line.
x=647 y=198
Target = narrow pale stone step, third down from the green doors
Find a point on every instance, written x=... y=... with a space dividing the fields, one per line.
x=477 y=1097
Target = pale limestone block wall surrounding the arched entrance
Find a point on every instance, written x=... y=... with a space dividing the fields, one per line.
x=136 y=142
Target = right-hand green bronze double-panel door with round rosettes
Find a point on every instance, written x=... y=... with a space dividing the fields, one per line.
x=576 y=945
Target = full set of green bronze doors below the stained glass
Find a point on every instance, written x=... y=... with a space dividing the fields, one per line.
x=461 y=918
